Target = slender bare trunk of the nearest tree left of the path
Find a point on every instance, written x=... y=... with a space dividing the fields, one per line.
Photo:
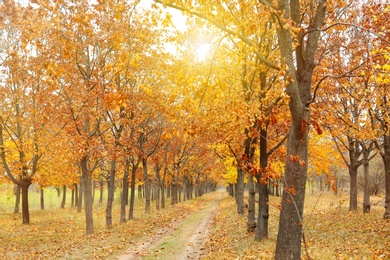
x=87 y=187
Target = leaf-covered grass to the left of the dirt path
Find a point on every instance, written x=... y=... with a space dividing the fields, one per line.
x=60 y=233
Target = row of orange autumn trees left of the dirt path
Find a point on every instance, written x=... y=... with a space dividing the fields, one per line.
x=85 y=91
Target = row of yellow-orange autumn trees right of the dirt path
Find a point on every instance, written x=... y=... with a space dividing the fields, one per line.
x=330 y=58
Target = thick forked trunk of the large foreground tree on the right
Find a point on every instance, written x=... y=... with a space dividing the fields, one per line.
x=300 y=61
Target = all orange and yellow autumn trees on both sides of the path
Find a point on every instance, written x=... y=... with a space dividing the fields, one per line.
x=91 y=83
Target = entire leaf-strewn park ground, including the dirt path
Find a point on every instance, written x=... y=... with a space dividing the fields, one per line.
x=203 y=228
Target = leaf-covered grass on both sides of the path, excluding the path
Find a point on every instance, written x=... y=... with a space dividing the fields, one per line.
x=332 y=232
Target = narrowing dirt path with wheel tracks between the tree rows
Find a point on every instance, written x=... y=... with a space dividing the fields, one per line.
x=180 y=240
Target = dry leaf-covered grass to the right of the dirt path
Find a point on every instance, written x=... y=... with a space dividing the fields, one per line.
x=332 y=232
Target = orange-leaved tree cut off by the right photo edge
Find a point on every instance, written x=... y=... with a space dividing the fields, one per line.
x=375 y=19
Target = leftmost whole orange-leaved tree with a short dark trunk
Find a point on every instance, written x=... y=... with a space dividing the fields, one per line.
x=25 y=130
